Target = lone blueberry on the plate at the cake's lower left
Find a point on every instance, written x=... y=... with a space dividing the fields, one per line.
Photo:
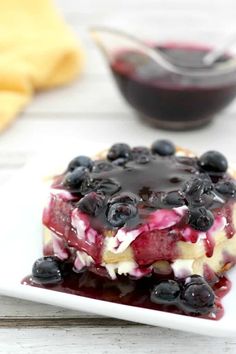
x=47 y=270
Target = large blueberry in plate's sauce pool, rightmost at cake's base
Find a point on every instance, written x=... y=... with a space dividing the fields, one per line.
x=197 y=297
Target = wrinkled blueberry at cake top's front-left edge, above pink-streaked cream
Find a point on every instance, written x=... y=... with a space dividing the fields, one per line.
x=91 y=204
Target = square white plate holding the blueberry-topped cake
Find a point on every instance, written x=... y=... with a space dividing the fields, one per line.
x=21 y=243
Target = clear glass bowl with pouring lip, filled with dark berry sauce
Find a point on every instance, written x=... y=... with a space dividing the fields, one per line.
x=181 y=100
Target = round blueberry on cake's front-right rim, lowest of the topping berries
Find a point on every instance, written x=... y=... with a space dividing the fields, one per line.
x=201 y=219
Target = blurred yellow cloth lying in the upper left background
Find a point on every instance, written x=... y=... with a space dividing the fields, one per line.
x=37 y=51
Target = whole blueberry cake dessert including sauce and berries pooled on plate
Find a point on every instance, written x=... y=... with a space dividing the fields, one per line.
x=158 y=221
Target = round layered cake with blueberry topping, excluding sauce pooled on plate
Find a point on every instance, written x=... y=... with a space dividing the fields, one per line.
x=138 y=211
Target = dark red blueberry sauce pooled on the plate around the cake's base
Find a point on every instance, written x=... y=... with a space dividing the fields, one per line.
x=127 y=291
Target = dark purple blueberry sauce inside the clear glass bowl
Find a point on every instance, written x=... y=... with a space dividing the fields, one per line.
x=172 y=100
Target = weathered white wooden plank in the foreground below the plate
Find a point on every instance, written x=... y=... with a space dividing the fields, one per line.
x=103 y=340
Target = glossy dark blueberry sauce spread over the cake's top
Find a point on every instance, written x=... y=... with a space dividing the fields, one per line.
x=158 y=176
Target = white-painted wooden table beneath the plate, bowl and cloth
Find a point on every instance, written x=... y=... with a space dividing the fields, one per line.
x=91 y=108
